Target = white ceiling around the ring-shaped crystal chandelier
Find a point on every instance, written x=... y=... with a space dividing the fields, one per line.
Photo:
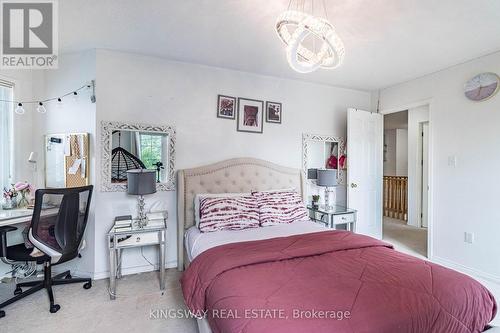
x=387 y=41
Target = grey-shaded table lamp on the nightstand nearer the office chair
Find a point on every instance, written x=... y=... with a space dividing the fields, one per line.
x=141 y=182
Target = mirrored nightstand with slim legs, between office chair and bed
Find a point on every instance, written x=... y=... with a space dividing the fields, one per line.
x=154 y=234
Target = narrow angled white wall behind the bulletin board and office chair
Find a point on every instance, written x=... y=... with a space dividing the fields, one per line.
x=74 y=71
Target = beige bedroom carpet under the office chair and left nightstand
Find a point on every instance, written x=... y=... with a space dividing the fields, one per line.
x=92 y=310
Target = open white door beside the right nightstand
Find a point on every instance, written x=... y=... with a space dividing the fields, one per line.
x=365 y=131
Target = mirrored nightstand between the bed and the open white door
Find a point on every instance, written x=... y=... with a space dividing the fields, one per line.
x=335 y=215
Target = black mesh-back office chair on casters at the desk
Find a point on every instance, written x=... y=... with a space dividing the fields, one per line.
x=57 y=231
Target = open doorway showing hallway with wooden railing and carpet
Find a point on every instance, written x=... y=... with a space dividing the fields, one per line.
x=406 y=174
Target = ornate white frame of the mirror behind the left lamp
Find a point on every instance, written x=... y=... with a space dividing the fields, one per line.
x=107 y=128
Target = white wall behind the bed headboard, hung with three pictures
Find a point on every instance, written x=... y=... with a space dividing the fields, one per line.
x=145 y=89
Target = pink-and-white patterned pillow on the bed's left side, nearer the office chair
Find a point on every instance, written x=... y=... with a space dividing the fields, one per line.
x=228 y=213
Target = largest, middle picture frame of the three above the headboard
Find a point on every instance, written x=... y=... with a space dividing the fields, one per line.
x=250 y=115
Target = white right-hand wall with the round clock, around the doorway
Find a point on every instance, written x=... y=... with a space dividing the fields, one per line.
x=464 y=197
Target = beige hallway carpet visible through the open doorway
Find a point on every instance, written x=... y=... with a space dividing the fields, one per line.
x=405 y=238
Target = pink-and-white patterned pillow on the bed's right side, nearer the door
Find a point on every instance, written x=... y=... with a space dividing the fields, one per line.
x=277 y=207
